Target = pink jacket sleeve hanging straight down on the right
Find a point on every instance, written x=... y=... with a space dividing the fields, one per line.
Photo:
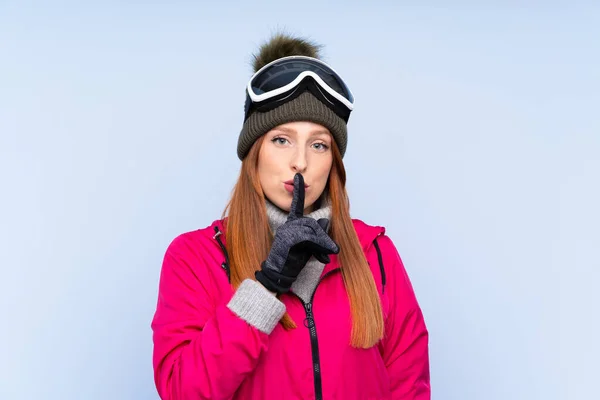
x=406 y=341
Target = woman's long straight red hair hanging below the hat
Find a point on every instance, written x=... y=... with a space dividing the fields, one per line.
x=249 y=239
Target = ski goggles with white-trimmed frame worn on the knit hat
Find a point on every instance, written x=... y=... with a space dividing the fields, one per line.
x=286 y=78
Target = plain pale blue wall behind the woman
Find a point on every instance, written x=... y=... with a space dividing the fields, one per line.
x=475 y=141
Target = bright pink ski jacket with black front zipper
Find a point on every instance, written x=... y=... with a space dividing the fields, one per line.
x=203 y=350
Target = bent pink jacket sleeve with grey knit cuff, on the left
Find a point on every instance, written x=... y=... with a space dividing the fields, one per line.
x=204 y=350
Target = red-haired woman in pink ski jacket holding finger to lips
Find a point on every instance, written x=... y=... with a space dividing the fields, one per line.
x=288 y=297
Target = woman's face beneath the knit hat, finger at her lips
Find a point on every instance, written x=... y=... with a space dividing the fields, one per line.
x=303 y=147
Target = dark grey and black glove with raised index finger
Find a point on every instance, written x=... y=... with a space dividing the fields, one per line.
x=298 y=239
